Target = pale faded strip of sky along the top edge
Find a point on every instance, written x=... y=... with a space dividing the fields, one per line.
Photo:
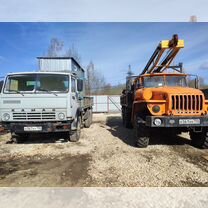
x=103 y=10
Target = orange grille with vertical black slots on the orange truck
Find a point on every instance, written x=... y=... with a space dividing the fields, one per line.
x=187 y=104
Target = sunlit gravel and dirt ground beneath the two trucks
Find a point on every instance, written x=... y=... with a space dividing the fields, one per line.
x=104 y=156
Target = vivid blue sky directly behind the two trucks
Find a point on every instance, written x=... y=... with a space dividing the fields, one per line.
x=111 y=46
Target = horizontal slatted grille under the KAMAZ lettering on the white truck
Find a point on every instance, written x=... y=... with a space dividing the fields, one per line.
x=34 y=116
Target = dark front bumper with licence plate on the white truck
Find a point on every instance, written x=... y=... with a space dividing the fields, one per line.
x=39 y=127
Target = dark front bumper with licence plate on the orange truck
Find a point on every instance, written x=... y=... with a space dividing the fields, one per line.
x=177 y=121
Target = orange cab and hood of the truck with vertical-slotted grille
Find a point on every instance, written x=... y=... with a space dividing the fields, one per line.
x=169 y=94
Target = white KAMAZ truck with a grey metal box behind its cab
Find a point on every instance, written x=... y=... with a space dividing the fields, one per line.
x=49 y=100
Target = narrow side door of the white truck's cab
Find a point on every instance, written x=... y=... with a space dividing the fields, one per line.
x=74 y=101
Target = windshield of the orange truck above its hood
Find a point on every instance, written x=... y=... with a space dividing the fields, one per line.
x=160 y=81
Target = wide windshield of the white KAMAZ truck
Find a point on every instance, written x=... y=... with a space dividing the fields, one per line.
x=37 y=83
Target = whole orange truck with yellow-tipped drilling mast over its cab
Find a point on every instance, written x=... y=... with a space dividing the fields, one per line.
x=159 y=99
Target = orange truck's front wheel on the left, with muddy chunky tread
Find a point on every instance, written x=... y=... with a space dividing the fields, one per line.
x=142 y=135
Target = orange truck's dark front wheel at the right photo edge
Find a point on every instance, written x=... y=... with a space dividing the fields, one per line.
x=200 y=139
